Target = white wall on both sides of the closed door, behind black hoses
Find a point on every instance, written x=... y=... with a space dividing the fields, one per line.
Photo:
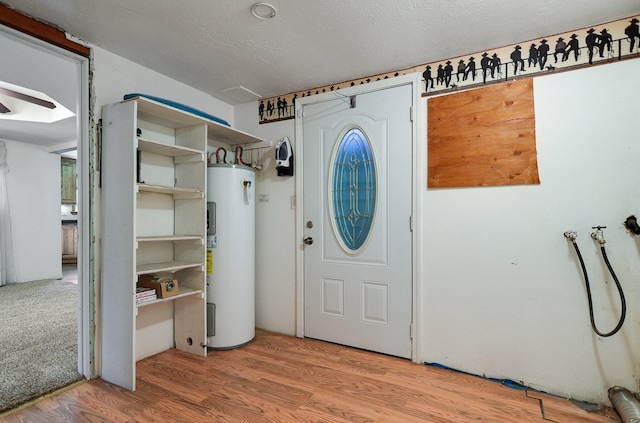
x=502 y=293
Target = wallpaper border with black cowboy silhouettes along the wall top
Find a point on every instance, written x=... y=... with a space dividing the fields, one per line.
x=596 y=45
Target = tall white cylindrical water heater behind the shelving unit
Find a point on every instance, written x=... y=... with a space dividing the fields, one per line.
x=230 y=255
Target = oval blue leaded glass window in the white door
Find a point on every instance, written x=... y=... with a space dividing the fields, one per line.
x=353 y=190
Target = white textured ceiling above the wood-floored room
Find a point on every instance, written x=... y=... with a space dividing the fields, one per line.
x=215 y=45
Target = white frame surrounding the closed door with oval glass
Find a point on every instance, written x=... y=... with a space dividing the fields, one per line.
x=414 y=80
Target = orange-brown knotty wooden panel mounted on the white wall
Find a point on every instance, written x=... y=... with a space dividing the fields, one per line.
x=483 y=137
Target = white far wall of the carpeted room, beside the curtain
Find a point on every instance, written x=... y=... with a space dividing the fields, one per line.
x=33 y=184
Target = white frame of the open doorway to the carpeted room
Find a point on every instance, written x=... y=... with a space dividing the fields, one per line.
x=85 y=316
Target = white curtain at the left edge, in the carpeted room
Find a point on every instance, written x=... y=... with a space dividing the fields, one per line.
x=7 y=265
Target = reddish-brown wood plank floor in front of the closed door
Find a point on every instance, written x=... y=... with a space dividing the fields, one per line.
x=279 y=378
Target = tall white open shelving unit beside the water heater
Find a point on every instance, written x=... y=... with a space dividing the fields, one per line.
x=154 y=222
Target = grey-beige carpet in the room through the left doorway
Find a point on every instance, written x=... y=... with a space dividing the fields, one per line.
x=38 y=340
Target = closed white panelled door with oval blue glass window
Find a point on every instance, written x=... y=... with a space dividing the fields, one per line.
x=357 y=220
